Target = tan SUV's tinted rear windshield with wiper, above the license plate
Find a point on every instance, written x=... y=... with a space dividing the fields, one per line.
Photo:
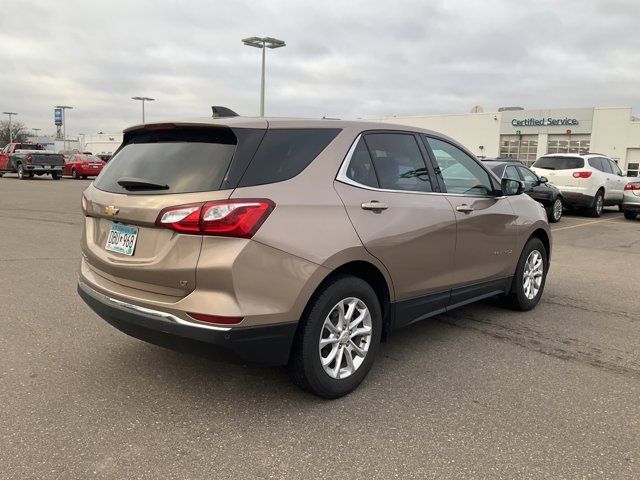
x=184 y=160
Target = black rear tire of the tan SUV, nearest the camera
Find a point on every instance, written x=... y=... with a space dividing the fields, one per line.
x=305 y=365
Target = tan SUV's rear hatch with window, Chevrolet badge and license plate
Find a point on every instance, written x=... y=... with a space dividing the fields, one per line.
x=157 y=167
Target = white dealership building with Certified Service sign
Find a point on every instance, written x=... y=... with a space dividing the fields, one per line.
x=528 y=134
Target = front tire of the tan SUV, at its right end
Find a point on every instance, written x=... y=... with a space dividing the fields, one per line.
x=519 y=298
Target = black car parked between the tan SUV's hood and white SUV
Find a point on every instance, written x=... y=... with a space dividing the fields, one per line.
x=536 y=187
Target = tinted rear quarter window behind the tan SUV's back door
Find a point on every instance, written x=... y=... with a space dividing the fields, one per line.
x=284 y=153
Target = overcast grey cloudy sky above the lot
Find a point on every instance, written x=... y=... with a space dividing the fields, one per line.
x=343 y=58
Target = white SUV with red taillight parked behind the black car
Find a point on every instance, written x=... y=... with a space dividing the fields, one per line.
x=588 y=181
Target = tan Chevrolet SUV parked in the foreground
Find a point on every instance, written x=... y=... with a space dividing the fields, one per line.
x=301 y=242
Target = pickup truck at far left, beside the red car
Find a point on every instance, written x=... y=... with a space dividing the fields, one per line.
x=29 y=159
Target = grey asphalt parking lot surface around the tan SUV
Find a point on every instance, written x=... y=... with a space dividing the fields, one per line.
x=482 y=392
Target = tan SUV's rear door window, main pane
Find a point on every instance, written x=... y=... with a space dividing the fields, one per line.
x=398 y=162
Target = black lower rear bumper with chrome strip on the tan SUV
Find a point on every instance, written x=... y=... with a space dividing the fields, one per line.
x=269 y=344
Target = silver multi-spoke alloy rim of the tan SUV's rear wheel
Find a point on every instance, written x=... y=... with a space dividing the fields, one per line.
x=345 y=338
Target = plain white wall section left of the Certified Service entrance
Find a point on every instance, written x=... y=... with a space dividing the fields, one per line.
x=472 y=130
